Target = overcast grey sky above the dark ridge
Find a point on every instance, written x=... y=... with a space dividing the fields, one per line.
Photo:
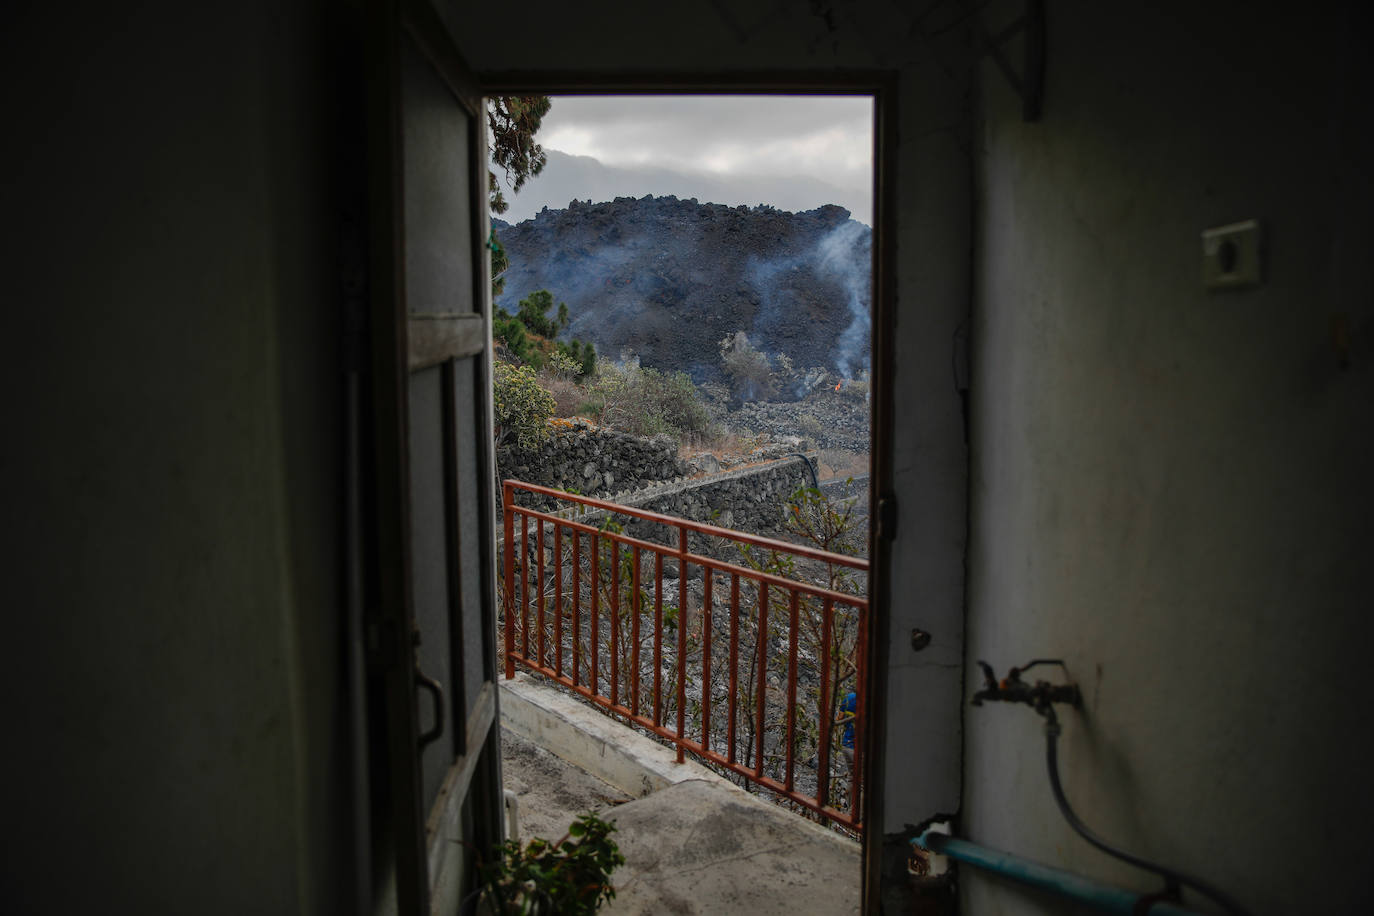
x=791 y=152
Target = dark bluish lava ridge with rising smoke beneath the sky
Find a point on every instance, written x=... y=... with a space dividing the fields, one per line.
x=670 y=278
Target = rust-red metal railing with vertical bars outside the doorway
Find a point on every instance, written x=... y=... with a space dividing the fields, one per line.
x=751 y=671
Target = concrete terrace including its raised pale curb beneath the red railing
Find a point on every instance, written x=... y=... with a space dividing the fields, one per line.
x=693 y=841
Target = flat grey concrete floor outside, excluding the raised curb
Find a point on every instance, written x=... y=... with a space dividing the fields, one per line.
x=693 y=848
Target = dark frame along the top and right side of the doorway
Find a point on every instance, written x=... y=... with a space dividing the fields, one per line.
x=883 y=87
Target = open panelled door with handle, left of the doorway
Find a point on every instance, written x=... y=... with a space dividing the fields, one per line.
x=431 y=630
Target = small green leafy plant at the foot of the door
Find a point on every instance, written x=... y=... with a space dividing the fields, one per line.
x=568 y=878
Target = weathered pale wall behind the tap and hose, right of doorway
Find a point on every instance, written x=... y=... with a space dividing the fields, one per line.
x=1173 y=488
